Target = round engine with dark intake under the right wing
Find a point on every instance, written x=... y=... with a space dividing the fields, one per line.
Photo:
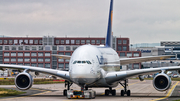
x=162 y=82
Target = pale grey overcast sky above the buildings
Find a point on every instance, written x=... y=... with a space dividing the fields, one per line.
x=143 y=21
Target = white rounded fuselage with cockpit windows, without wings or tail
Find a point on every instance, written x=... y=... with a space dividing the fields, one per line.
x=89 y=64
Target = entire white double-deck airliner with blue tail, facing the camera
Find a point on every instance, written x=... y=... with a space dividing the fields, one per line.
x=97 y=66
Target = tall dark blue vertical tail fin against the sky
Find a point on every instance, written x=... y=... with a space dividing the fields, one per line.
x=109 y=30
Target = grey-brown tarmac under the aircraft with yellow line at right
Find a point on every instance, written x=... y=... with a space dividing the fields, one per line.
x=140 y=91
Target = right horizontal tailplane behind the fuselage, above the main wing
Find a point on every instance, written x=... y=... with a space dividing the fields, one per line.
x=125 y=61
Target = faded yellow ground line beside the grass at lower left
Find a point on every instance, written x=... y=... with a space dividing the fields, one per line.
x=28 y=95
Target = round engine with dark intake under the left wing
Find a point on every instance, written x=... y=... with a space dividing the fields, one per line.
x=23 y=81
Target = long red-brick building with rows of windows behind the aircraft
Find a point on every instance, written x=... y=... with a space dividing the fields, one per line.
x=36 y=51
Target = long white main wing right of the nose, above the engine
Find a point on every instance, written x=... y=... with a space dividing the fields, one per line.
x=112 y=77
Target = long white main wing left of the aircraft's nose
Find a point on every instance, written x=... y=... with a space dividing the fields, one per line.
x=62 y=74
